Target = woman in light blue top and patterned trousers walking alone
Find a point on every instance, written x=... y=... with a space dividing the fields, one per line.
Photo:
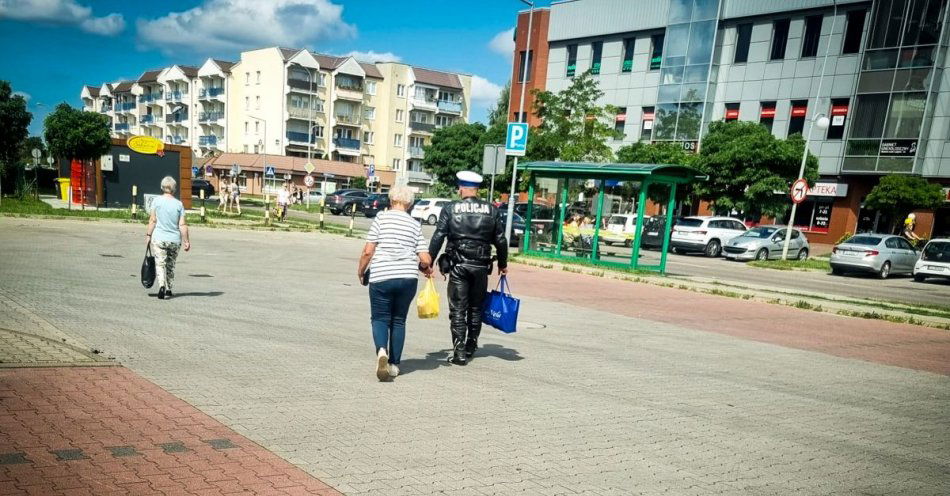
x=167 y=232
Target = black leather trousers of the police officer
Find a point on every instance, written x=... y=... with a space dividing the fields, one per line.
x=466 y=291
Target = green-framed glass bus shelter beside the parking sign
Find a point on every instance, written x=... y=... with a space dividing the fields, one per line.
x=596 y=212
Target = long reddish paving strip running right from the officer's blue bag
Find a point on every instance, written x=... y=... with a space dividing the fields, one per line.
x=902 y=345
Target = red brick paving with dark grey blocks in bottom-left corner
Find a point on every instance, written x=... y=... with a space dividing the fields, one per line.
x=164 y=445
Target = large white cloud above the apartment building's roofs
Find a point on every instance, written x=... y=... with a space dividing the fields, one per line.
x=232 y=25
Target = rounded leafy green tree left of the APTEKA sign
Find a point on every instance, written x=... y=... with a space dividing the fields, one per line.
x=746 y=166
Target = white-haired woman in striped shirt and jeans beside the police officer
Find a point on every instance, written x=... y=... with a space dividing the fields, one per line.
x=394 y=254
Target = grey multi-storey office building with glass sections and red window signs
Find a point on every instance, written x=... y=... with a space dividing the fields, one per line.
x=673 y=66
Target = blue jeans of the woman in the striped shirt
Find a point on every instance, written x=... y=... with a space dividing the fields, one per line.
x=389 y=303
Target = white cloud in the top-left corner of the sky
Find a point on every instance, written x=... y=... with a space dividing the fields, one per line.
x=67 y=12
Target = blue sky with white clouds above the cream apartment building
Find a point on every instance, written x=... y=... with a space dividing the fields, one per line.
x=51 y=48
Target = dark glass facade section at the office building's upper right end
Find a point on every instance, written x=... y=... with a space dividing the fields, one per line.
x=900 y=64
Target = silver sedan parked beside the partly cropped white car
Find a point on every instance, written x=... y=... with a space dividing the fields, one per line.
x=881 y=254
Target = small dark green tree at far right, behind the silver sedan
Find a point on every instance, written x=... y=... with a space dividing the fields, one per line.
x=898 y=195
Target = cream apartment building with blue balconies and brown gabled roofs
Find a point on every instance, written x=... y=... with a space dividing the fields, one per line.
x=292 y=102
